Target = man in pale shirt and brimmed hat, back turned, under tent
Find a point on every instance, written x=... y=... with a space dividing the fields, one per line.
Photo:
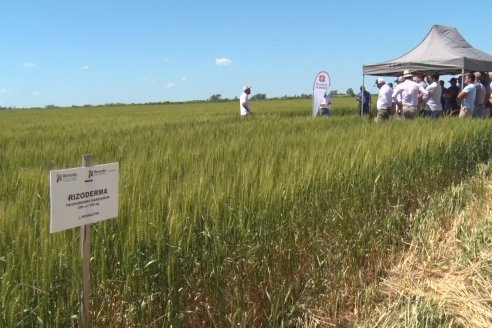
x=409 y=93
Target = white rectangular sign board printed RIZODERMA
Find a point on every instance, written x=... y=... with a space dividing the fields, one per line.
x=83 y=195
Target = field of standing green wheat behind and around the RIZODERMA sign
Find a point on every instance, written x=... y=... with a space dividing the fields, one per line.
x=223 y=221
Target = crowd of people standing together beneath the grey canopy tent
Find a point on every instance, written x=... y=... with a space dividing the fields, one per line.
x=425 y=95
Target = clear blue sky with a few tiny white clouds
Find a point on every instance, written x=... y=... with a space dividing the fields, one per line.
x=80 y=52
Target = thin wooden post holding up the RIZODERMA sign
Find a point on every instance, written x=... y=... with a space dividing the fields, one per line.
x=85 y=248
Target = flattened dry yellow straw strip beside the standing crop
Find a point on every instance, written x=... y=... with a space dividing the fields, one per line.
x=444 y=278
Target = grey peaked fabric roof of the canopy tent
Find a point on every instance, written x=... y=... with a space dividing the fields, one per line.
x=443 y=51
